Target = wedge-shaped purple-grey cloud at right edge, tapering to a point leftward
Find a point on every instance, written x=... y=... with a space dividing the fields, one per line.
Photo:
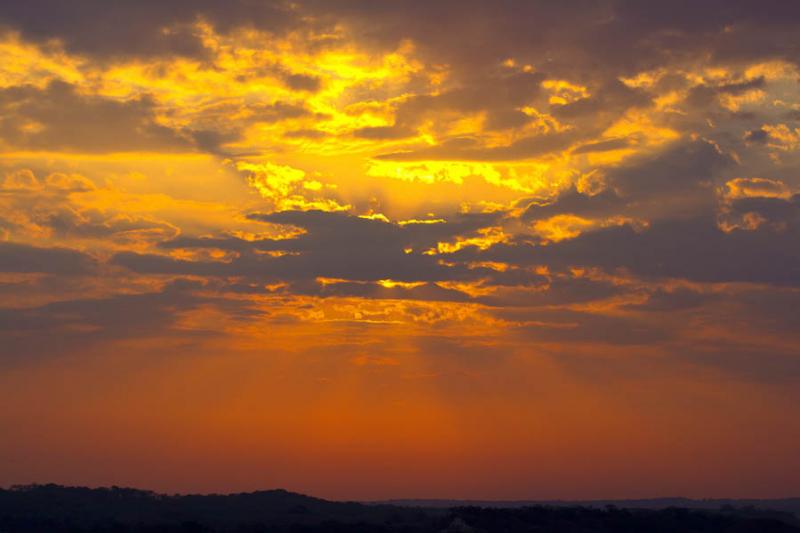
x=694 y=249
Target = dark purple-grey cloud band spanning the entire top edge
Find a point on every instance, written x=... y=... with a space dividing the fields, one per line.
x=616 y=36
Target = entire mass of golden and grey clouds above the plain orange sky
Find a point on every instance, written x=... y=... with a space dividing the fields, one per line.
x=611 y=136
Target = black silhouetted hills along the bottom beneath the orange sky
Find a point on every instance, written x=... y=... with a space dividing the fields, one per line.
x=53 y=508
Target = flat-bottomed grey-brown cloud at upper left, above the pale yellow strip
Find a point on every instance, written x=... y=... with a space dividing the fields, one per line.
x=60 y=117
